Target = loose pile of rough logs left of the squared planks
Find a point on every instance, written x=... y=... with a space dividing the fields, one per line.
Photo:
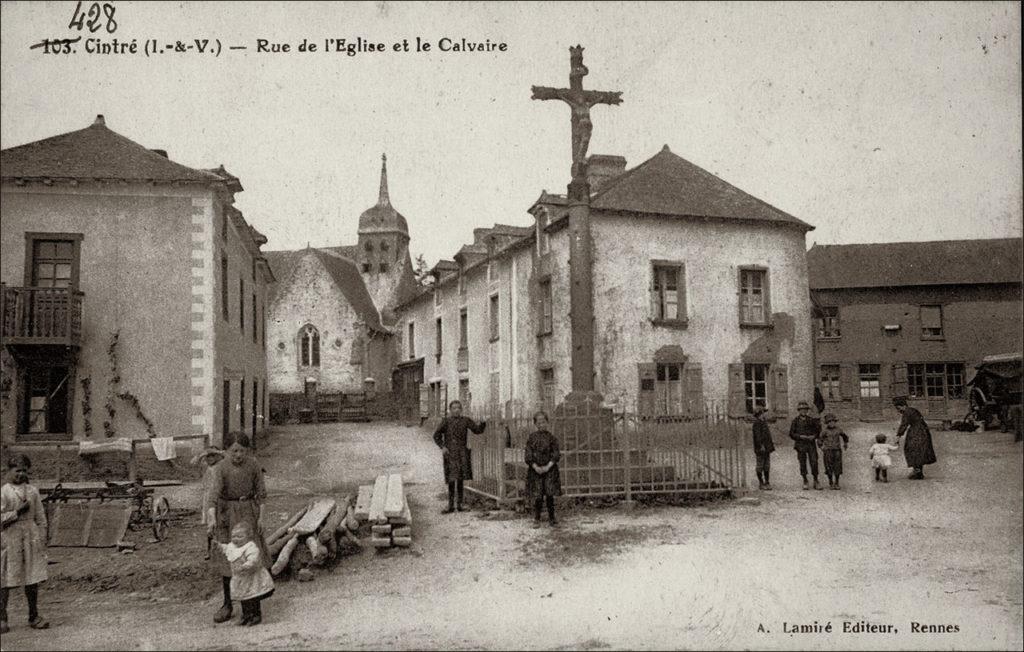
x=311 y=537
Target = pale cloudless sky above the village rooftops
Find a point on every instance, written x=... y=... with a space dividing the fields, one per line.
x=873 y=122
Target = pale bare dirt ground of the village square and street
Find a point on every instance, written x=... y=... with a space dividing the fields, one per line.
x=946 y=551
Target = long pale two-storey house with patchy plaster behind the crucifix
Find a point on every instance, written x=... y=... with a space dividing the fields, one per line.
x=701 y=298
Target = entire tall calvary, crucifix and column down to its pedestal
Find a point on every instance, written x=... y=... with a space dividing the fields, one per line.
x=581 y=248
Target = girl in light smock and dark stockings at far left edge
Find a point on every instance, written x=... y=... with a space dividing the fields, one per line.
x=23 y=553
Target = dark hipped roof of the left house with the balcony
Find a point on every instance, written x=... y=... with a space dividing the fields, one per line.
x=97 y=153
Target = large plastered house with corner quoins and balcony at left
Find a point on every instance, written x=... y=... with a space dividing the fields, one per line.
x=134 y=294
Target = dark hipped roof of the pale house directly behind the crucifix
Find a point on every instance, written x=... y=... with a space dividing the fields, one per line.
x=669 y=185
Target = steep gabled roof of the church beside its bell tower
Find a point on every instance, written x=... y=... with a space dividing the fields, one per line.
x=345 y=273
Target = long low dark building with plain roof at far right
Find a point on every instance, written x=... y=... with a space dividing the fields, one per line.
x=912 y=320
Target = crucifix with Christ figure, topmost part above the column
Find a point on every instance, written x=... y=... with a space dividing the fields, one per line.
x=580 y=102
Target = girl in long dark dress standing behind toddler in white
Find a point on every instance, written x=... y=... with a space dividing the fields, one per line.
x=237 y=496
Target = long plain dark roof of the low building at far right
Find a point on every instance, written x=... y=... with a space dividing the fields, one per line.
x=931 y=264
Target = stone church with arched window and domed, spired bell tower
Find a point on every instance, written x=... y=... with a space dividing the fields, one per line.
x=331 y=309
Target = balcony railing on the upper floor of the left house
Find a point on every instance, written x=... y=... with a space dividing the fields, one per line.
x=42 y=316
